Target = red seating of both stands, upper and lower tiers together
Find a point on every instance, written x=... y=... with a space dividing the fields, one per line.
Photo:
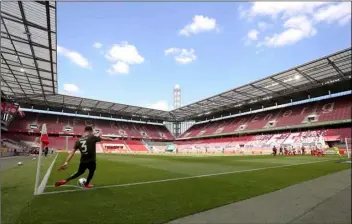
x=258 y=131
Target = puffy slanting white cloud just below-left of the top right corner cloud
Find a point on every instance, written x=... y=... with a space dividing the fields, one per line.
x=297 y=28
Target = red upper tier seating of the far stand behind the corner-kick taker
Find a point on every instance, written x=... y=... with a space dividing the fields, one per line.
x=58 y=124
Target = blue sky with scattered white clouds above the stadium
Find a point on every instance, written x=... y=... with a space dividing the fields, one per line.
x=135 y=53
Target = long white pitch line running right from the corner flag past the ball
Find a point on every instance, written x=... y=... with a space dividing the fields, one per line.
x=180 y=178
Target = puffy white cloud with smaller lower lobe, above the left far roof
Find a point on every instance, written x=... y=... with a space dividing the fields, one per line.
x=123 y=55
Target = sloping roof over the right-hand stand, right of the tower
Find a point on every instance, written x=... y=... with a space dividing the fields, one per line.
x=323 y=71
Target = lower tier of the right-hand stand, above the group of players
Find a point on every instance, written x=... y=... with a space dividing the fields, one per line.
x=262 y=144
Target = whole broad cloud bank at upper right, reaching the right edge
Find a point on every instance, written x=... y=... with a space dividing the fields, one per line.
x=299 y=19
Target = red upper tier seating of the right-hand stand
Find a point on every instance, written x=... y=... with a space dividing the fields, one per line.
x=334 y=109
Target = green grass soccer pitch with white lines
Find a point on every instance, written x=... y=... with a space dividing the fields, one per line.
x=151 y=188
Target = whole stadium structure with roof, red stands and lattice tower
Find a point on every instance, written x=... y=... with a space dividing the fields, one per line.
x=306 y=105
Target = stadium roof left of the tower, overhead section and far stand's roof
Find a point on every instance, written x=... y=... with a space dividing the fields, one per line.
x=28 y=62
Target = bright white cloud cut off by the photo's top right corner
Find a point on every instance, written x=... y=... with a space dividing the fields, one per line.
x=340 y=13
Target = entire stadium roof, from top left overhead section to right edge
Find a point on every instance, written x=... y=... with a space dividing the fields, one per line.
x=29 y=76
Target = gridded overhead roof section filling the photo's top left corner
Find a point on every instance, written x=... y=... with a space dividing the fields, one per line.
x=28 y=48
